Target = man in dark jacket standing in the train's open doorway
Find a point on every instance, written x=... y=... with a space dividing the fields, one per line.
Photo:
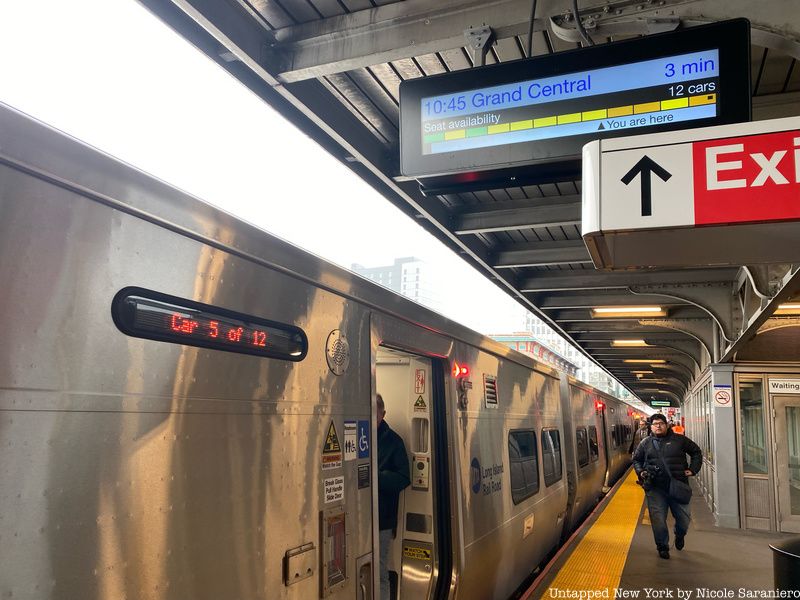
x=393 y=477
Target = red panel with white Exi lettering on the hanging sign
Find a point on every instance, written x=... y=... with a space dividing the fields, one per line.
x=747 y=179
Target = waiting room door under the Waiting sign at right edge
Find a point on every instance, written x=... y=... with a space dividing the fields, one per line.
x=787 y=461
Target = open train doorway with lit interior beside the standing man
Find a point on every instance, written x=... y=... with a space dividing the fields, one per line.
x=411 y=386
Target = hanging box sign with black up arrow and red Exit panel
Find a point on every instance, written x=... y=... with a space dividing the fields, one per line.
x=698 y=181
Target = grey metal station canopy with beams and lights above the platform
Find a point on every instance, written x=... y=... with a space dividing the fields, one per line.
x=334 y=68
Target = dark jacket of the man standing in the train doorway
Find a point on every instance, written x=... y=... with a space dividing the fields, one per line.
x=393 y=475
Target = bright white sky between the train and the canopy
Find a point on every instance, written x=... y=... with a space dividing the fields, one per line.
x=111 y=74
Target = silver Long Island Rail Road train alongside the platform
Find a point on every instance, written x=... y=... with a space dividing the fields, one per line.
x=186 y=409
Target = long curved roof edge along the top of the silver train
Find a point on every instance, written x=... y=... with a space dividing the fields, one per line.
x=43 y=151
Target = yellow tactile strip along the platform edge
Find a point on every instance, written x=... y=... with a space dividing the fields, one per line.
x=597 y=563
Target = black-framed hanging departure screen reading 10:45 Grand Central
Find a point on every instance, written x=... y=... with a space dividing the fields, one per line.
x=547 y=108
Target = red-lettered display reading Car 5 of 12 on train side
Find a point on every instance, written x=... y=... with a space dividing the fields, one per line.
x=152 y=315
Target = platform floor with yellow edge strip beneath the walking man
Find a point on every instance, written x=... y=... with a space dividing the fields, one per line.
x=613 y=555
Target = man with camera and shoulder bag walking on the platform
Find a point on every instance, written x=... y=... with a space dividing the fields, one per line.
x=658 y=460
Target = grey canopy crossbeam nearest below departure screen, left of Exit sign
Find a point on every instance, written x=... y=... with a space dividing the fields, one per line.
x=560 y=211
